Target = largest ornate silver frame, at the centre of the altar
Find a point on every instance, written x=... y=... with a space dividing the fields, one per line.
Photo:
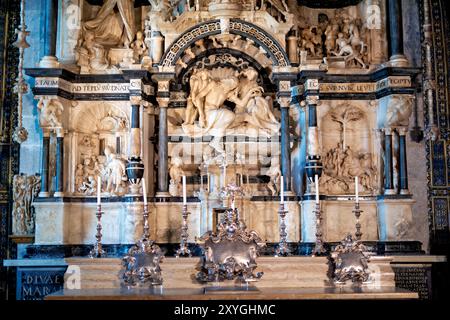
x=231 y=253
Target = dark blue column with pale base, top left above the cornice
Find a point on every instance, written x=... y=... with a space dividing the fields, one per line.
x=51 y=10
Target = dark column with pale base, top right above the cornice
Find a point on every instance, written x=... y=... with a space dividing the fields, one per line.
x=395 y=36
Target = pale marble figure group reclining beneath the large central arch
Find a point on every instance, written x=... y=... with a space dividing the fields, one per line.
x=210 y=89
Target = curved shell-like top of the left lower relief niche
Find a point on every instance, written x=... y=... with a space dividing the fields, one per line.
x=101 y=117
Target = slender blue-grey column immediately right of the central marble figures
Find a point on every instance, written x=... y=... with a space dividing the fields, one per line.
x=285 y=142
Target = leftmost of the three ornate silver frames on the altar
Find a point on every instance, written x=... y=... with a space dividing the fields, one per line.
x=142 y=264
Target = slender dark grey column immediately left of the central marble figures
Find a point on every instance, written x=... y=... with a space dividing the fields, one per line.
x=163 y=149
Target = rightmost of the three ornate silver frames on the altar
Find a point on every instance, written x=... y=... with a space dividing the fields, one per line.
x=351 y=261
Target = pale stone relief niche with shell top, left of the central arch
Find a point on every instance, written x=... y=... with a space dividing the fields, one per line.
x=99 y=142
